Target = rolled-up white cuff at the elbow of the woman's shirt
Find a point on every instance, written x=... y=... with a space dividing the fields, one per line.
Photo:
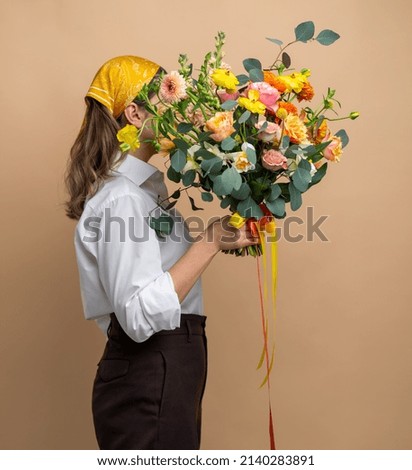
x=160 y=303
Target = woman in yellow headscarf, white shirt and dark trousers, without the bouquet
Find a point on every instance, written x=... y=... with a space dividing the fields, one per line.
x=144 y=291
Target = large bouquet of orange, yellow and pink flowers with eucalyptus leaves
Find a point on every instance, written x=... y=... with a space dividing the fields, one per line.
x=244 y=139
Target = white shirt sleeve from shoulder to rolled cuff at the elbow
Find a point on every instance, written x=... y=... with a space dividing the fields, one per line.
x=143 y=296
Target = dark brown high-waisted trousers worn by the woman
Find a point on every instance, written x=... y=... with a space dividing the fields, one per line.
x=149 y=395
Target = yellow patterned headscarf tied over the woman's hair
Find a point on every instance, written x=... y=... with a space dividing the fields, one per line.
x=119 y=80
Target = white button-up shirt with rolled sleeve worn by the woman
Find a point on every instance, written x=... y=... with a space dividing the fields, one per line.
x=123 y=264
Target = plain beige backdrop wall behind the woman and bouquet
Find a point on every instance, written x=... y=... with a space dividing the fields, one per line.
x=343 y=372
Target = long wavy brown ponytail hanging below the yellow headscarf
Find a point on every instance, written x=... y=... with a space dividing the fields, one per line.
x=91 y=156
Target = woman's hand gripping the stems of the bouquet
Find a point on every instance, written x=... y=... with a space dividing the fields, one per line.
x=224 y=236
